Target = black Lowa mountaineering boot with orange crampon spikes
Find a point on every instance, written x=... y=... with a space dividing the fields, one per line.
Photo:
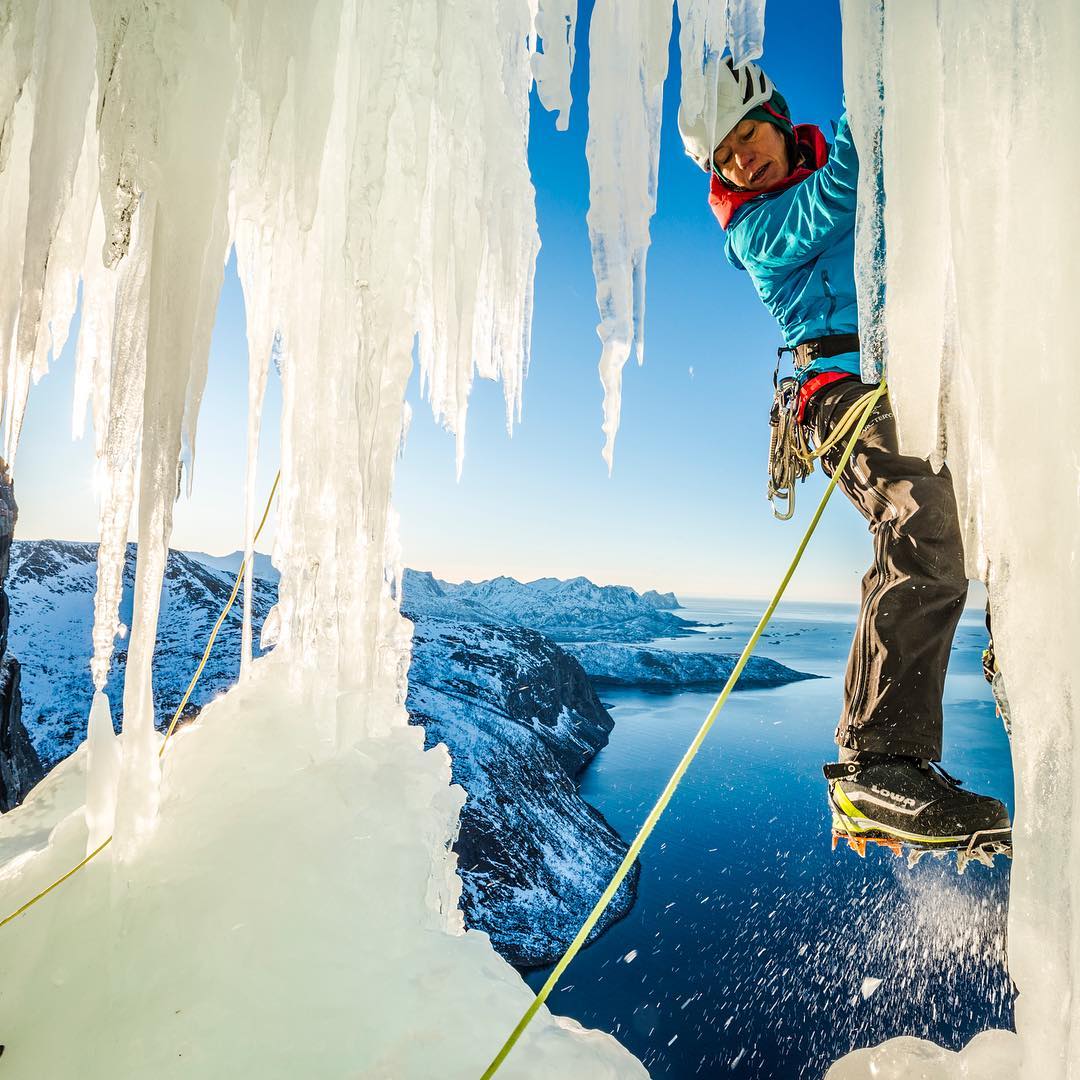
x=907 y=803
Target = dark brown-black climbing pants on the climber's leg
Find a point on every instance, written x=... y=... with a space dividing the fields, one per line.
x=914 y=593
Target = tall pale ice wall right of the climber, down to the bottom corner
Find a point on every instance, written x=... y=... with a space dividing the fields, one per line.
x=982 y=231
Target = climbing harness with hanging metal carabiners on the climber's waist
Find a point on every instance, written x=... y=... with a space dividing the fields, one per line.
x=791 y=457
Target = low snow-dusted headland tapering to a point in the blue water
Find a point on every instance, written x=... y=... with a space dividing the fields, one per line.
x=668 y=670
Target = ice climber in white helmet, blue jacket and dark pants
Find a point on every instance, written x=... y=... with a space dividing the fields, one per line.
x=787 y=201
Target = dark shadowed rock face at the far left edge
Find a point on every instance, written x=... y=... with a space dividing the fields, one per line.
x=20 y=766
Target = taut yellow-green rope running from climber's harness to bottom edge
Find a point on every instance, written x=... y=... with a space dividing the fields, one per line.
x=869 y=402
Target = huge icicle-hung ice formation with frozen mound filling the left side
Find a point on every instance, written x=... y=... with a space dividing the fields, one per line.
x=280 y=898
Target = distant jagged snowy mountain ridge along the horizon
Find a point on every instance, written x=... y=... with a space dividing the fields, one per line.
x=573 y=611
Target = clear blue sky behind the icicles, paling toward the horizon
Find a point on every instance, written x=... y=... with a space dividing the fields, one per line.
x=685 y=509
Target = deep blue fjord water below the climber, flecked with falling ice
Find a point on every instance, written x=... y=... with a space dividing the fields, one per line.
x=753 y=950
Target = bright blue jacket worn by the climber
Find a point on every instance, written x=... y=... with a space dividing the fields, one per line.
x=799 y=247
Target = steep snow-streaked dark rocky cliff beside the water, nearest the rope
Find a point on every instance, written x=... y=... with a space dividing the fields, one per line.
x=522 y=722
